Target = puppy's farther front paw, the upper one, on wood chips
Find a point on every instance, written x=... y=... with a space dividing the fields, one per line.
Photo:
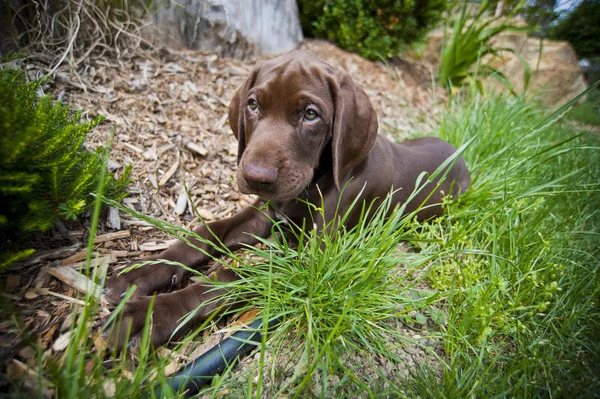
x=147 y=279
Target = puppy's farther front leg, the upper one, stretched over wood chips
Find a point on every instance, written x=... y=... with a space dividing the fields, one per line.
x=233 y=232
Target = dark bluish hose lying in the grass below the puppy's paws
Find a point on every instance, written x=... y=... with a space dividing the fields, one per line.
x=202 y=369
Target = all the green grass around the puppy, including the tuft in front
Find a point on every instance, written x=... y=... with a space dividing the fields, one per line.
x=508 y=280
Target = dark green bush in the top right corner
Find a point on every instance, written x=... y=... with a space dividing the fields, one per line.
x=581 y=28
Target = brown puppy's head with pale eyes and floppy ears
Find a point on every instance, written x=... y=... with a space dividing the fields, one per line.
x=286 y=113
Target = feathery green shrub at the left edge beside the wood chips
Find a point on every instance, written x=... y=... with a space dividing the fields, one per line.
x=46 y=174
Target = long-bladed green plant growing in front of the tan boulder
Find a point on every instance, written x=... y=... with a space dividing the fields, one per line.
x=463 y=48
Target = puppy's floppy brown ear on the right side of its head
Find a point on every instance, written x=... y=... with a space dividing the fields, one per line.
x=354 y=127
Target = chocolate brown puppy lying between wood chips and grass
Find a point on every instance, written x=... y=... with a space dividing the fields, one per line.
x=302 y=127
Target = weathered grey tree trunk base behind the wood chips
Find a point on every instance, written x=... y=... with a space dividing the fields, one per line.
x=231 y=28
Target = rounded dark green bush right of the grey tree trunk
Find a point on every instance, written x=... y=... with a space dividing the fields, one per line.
x=371 y=29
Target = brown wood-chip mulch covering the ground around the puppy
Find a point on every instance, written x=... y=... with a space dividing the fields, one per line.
x=169 y=113
